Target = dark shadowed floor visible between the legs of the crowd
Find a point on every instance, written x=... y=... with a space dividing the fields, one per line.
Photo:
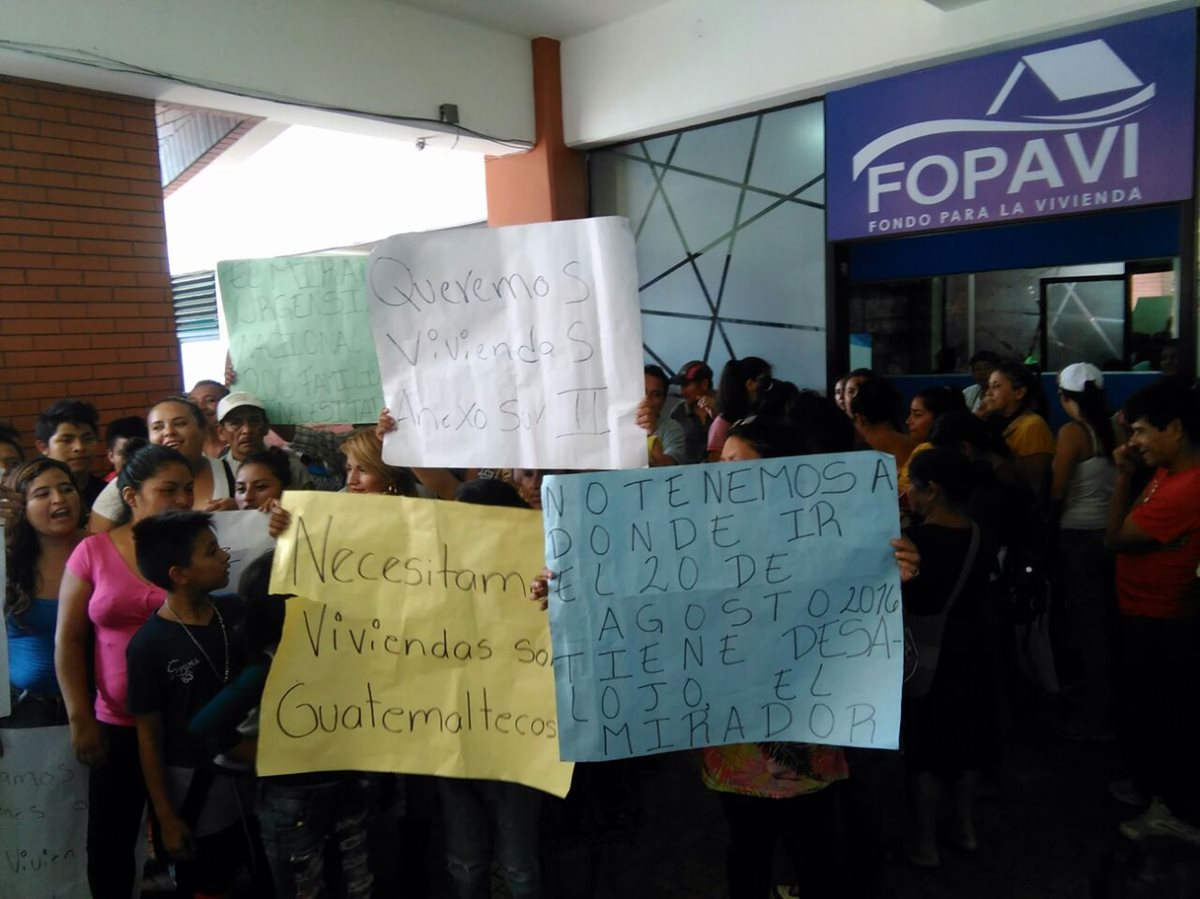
x=1047 y=828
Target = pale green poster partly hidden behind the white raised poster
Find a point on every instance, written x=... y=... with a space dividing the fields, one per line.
x=301 y=338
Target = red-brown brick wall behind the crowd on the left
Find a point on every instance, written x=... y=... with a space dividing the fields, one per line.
x=86 y=304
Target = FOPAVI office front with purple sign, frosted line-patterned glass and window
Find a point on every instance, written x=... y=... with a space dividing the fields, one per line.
x=1036 y=202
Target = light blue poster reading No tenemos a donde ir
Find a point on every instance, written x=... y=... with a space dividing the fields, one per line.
x=731 y=603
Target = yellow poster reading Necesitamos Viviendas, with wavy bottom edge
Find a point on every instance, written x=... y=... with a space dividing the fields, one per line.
x=411 y=645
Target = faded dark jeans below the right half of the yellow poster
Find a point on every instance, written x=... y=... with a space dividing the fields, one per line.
x=487 y=817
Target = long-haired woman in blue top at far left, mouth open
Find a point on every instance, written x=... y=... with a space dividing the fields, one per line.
x=38 y=543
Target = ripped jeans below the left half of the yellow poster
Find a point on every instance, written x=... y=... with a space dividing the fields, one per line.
x=299 y=820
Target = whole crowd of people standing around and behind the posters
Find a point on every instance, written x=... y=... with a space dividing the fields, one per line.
x=123 y=627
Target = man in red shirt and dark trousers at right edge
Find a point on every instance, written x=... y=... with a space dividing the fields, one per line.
x=1157 y=546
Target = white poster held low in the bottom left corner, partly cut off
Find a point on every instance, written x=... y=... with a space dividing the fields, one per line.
x=44 y=817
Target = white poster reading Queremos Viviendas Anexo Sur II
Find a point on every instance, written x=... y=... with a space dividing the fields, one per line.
x=511 y=347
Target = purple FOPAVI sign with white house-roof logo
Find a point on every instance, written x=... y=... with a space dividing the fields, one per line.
x=1094 y=122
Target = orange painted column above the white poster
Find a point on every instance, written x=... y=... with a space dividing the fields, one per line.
x=549 y=183
